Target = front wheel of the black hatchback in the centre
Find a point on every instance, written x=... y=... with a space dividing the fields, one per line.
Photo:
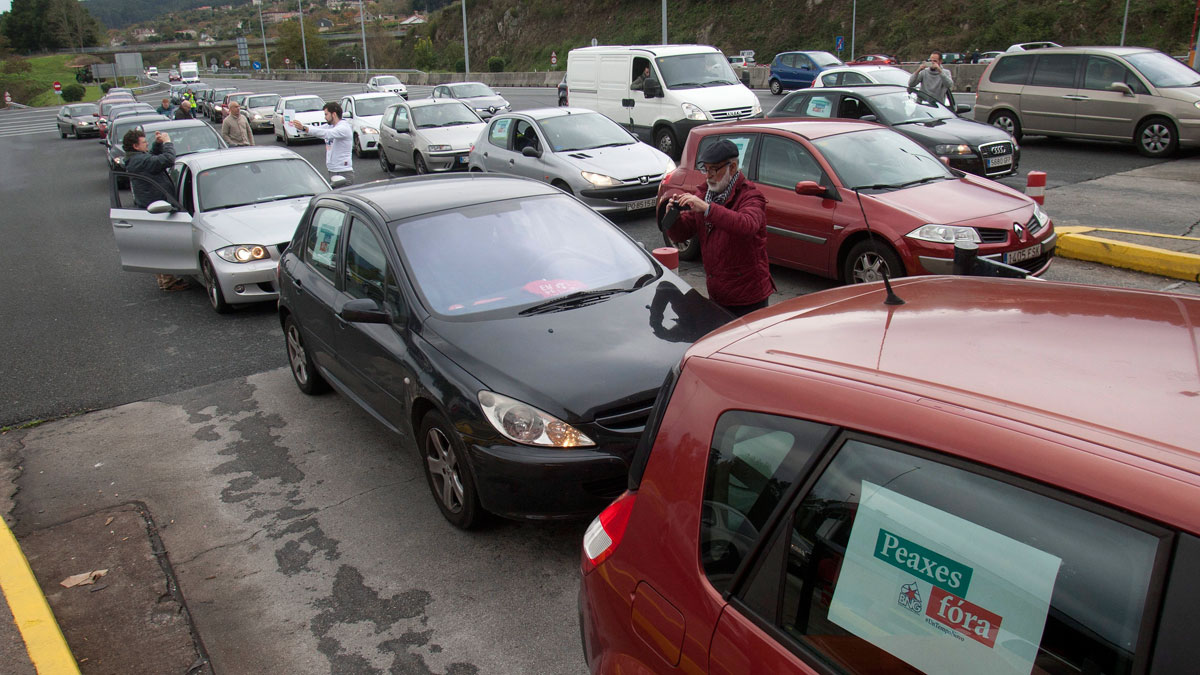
x=448 y=473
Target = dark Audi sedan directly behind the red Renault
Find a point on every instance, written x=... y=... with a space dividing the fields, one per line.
x=969 y=146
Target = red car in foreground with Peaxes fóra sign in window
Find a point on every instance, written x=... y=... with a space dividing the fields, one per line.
x=997 y=476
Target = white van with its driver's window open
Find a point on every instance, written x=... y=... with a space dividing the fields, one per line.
x=688 y=86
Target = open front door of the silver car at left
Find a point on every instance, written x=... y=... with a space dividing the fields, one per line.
x=147 y=242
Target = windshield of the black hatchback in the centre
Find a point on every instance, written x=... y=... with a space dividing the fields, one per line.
x=515 y=254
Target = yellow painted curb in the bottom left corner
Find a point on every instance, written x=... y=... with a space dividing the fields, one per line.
x=44 y=641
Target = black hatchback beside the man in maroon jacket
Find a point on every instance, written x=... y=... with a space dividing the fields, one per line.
x=515 y=336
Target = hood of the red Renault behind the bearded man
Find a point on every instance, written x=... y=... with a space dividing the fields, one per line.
x=955 y=201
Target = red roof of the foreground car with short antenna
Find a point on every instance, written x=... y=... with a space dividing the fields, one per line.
x=1118 y=367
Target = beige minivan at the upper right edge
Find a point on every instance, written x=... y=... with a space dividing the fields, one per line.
x=1106 y=93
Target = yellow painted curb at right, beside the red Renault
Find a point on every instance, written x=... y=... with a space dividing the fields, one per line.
x=1079 y=243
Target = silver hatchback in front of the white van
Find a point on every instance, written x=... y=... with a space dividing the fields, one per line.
x=580 y=152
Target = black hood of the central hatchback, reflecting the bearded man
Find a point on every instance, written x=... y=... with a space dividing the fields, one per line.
x=575 y=363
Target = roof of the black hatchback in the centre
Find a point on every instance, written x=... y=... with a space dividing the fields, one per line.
x=406 y=198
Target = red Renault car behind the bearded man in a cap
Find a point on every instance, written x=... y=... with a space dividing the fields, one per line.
x=827 y=181
